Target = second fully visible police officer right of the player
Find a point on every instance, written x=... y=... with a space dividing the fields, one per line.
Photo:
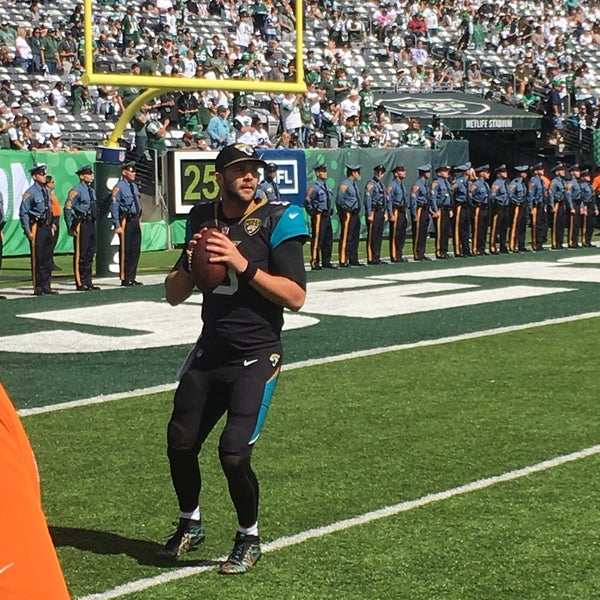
x=347 y=204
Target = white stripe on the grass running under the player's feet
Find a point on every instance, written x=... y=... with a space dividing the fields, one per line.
x=388 y=511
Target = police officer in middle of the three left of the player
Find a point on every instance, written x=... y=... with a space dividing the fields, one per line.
x=80 y=214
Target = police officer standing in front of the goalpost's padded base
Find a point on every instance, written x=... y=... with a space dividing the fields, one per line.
x=125 y=213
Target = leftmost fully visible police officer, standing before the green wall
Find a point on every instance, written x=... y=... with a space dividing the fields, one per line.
x=35 y=214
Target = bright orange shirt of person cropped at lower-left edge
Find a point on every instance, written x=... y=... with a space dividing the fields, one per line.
x=29 y=567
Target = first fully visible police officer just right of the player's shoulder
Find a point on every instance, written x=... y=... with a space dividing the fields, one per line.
x=319 y=206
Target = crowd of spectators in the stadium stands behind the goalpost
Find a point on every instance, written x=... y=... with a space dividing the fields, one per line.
x=533 y=55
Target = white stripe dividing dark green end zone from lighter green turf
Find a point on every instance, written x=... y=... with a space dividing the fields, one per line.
x=26 y=412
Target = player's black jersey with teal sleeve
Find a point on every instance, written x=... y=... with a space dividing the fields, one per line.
x=236 y=317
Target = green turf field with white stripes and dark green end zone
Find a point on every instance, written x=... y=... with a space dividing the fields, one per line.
x=345 y=437
